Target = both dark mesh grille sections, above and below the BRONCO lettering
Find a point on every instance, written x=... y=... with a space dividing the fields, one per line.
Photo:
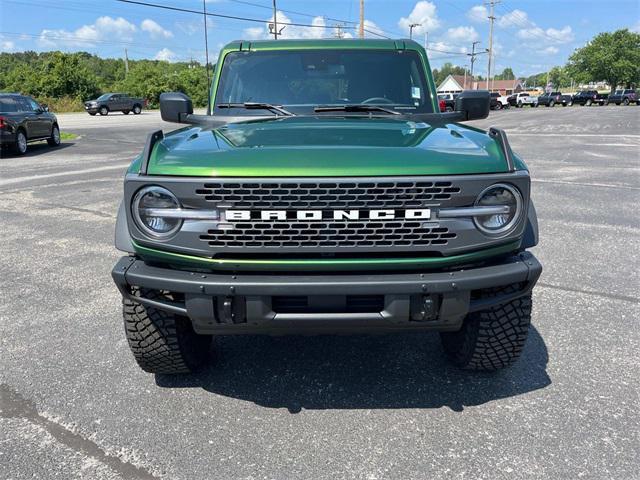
x=363 y=233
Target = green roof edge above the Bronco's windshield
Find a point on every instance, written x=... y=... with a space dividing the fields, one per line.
x=332 y=43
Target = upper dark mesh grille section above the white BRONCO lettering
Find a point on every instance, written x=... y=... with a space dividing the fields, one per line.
x=302 y=195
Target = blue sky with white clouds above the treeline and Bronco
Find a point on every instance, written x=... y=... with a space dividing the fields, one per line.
x=529 y=37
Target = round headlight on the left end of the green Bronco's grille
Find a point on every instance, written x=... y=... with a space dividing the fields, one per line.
x=147 y=208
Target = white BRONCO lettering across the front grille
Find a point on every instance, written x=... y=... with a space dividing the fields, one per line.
x=283 y=215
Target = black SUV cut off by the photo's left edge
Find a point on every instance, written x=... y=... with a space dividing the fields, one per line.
x=24 y=120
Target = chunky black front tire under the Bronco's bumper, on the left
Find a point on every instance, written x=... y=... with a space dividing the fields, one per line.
x=162 y=342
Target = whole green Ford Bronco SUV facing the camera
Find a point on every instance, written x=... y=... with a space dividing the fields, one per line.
x=324 y=192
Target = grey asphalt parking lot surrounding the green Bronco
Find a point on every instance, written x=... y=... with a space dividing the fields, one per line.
x=75 y=404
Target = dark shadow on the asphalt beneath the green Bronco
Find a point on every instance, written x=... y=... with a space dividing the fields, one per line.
x=370 y=372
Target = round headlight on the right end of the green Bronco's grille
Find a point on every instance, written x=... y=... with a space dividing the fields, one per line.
x=499 y=195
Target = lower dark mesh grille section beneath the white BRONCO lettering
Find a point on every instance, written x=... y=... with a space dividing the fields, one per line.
x=363 y=233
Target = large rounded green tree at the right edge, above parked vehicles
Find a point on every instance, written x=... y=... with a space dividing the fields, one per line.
x=610 y=56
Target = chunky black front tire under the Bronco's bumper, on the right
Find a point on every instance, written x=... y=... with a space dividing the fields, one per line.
x=491 y=339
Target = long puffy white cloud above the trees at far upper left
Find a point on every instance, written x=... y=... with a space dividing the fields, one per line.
x=87 y=35
